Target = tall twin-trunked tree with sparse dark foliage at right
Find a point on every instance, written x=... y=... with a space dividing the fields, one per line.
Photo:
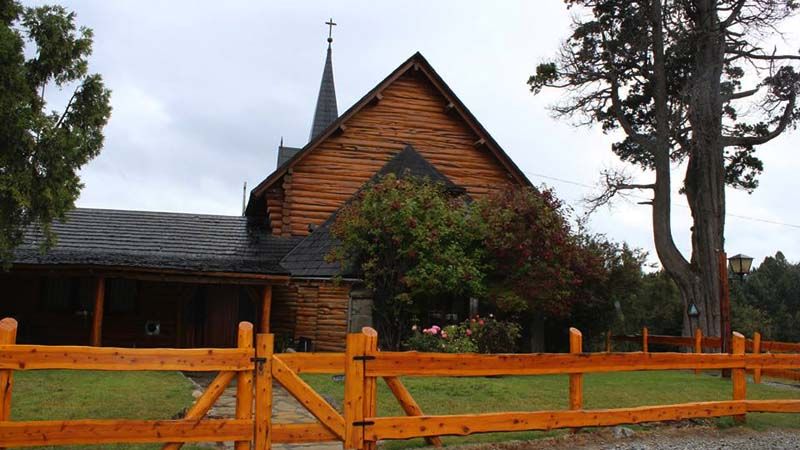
x=684 y=81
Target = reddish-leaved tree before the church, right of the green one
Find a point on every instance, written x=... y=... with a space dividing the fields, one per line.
x=540 y=268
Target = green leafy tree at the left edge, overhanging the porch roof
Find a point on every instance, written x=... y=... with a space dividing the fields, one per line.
x=41 y=150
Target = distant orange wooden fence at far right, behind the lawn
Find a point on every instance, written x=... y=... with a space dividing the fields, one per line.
x=699 y=343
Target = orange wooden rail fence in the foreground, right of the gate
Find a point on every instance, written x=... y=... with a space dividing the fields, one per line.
x=393 y=364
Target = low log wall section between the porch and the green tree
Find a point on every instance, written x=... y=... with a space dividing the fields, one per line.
x=312 y=309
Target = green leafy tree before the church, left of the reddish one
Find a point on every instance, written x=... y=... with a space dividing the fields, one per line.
x=412 y=241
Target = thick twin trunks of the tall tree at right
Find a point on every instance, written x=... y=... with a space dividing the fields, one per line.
x=698 y=281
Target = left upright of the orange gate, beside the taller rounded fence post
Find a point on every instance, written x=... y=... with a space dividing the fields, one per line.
x=264 y=348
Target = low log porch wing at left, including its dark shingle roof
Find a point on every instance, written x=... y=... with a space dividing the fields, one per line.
x=144 y=279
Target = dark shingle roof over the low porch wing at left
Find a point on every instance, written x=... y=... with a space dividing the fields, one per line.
x=156 y=240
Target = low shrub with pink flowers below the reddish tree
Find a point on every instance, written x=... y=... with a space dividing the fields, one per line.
x=484 y=335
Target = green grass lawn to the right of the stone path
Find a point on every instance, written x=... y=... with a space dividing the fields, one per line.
x=608 y=390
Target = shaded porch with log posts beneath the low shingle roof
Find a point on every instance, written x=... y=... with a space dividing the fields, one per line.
x=134 y=309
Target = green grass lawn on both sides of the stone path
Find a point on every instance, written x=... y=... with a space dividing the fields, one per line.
x=64 y=395
